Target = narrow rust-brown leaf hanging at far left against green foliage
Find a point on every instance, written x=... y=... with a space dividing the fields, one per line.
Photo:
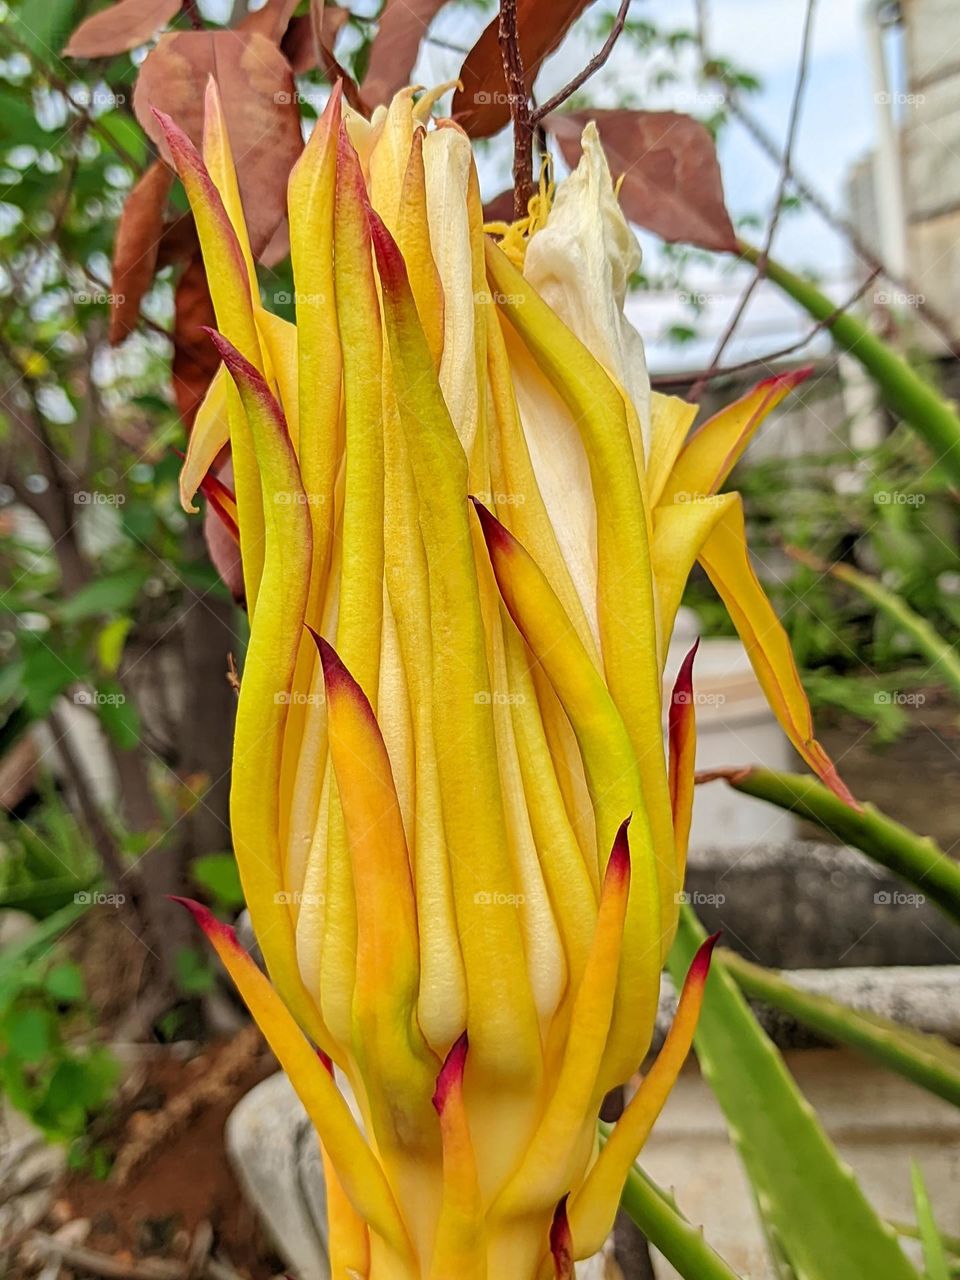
x=139 y=235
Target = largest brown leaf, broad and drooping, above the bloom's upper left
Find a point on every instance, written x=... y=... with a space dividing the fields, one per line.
x=260 y=104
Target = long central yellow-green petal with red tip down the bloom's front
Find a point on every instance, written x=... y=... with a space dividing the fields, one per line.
x=502 y=1021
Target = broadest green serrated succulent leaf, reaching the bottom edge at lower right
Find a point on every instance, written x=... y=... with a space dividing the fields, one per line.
x=810 y=1200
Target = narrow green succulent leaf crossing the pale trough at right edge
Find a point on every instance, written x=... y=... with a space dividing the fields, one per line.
x=930 y=1062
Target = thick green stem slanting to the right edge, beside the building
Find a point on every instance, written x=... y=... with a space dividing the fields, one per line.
x=906 y=391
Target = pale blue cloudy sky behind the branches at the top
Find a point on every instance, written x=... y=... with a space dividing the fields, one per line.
x=836 y=130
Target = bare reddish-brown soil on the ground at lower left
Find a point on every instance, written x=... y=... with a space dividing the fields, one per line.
x=181 y=1177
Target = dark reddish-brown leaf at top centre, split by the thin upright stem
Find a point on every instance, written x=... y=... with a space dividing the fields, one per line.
x=483 y=107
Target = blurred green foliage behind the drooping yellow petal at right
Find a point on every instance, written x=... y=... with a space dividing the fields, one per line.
x=884 y=510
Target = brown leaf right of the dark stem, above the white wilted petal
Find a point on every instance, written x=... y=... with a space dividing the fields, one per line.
x=671 y=179
